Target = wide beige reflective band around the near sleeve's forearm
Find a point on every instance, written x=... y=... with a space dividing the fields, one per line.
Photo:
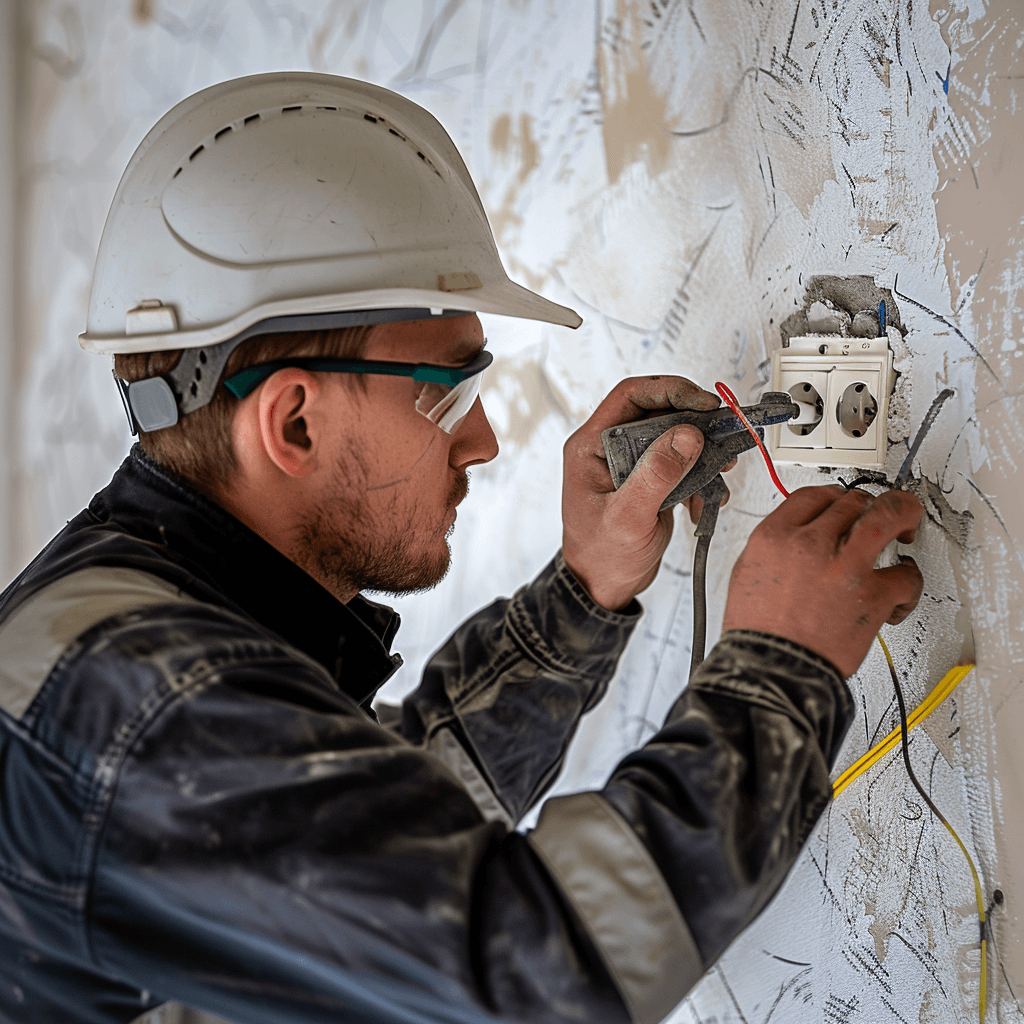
x=621 y=897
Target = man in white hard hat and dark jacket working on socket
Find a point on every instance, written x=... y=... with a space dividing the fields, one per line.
x=200 y=803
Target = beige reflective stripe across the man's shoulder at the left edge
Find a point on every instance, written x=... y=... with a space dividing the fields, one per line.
x=35 y=636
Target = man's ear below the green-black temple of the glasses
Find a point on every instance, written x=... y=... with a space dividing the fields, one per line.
x=291 y=413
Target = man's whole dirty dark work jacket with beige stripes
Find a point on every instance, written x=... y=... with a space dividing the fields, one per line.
x=199 y=804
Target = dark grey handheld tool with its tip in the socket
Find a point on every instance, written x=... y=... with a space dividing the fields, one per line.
x=726 y=438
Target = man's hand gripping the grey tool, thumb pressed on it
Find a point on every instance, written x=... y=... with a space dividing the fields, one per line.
x=614 y=540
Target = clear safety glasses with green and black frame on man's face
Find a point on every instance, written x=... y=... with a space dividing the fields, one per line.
x=446 y=397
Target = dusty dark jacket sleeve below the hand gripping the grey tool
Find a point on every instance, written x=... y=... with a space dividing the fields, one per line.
x=501 y=701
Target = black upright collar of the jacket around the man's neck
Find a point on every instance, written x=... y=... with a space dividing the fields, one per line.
x=353 y=642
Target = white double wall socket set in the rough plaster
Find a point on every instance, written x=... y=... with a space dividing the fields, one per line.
x=843 y=388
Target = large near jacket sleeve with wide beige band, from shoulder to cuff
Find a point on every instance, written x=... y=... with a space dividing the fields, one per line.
x=265 y=851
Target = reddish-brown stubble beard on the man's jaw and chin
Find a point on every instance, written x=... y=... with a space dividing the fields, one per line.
x=346 y=546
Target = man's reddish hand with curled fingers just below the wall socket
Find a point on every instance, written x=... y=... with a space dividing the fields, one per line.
x=807 y=575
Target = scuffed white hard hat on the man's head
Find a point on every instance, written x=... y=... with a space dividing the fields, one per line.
x=288 y=201
